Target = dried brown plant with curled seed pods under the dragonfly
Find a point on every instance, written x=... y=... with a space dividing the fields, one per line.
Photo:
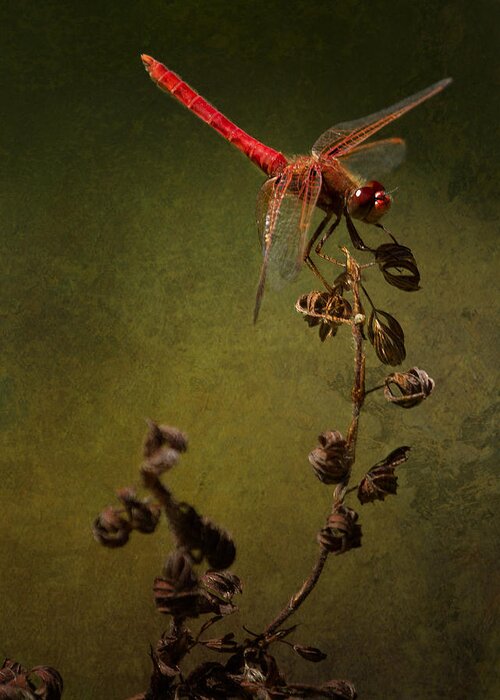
x=196 y=580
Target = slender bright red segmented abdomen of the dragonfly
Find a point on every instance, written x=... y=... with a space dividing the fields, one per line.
x=267 y=159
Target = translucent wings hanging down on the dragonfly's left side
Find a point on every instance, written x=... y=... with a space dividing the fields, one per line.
x=284 y=210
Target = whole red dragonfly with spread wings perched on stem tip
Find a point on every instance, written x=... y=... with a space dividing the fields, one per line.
x=296 y=186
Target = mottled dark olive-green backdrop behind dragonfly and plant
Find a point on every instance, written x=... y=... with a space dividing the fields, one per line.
x=130 y=261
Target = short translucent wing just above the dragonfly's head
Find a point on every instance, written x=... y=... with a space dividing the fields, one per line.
x=371 y=160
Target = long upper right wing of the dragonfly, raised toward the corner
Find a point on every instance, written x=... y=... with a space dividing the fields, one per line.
x=343 y=137
